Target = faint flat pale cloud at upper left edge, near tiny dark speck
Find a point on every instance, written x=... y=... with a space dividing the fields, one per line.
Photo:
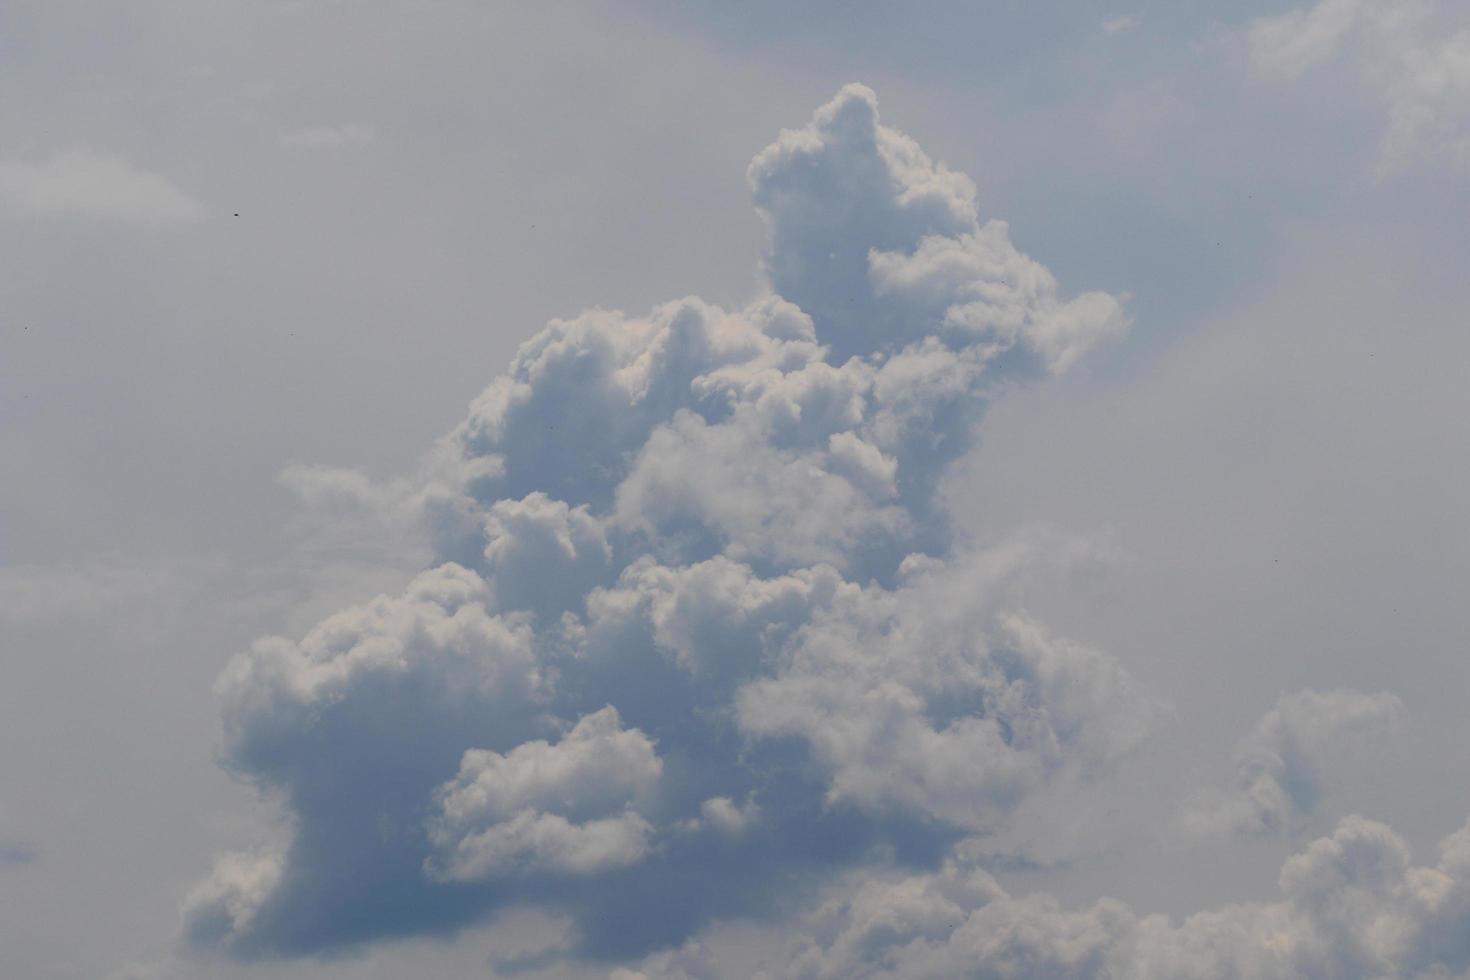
x=95 y=186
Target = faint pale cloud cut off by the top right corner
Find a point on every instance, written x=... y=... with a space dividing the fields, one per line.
x=1412 y=52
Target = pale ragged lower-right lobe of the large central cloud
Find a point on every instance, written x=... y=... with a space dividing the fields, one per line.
x=940 y=699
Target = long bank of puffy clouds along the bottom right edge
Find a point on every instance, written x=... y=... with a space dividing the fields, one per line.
x=1352 y=906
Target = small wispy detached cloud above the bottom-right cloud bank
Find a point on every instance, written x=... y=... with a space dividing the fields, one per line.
x=1280 y=766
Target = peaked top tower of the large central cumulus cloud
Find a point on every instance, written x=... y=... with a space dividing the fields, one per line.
x=871 y=237
